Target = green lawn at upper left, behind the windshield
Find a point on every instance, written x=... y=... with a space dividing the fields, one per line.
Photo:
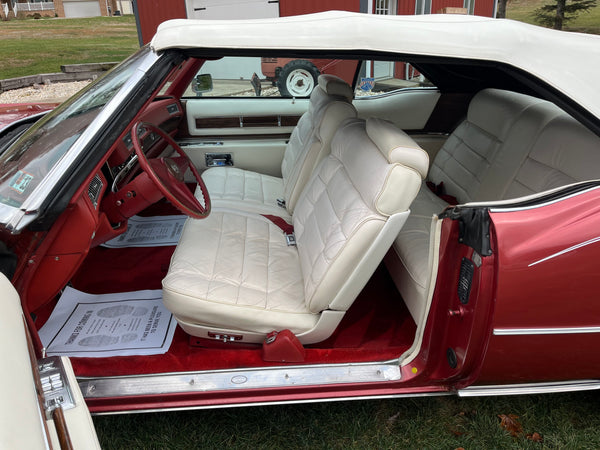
x=30 y=47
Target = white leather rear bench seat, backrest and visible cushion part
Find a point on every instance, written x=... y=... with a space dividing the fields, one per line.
x=510 y=145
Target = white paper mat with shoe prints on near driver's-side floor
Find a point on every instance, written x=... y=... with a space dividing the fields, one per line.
x=97 y=326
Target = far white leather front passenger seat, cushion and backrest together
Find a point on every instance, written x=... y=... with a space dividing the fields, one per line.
x=230 y=187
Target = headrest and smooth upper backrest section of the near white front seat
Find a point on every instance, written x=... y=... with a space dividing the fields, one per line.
x=383 y=163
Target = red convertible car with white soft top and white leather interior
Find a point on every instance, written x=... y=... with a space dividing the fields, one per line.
x=173 y=251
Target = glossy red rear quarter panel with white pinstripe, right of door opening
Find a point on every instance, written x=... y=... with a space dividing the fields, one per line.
x=546 y=323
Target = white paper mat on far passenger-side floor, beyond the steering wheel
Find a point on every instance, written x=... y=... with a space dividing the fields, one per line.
x=155 y=231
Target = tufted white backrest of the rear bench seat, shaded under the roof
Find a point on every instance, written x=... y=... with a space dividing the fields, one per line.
x=512 y=145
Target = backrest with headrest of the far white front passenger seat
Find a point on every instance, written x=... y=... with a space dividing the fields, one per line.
x=330 y=104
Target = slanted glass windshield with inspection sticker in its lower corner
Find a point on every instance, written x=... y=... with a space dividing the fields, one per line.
x=25 y=164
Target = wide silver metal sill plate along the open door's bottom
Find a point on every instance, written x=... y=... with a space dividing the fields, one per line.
x=220 y=380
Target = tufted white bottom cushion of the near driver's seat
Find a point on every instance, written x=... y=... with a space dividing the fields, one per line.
x=242 y=268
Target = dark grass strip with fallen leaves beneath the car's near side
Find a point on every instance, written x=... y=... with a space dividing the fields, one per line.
x=566 y=421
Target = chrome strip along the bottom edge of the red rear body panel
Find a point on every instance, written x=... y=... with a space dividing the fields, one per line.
x=530 y=388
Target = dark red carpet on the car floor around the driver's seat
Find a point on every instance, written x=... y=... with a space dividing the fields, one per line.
x=377 y=327
